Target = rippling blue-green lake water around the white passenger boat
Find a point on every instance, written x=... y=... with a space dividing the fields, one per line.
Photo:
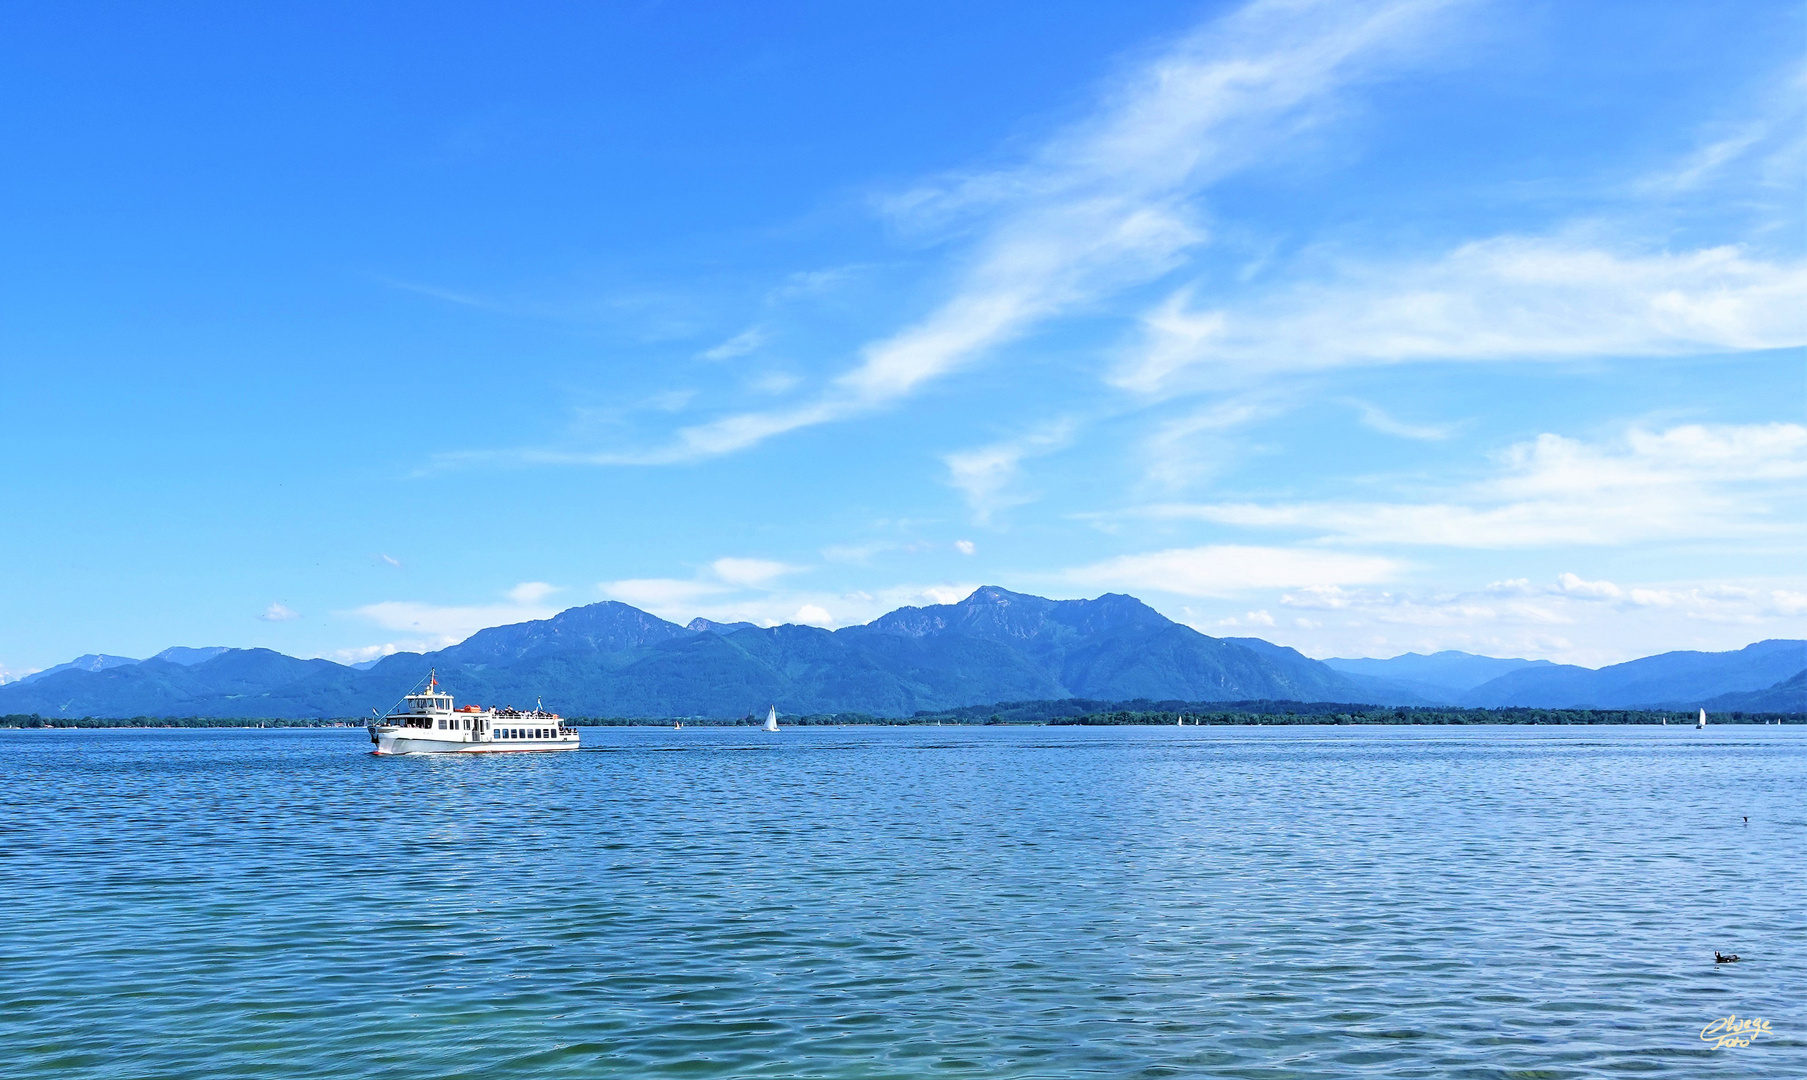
x=906 y=902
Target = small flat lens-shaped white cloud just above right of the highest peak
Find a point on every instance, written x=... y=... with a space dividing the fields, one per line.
x=1226 y=570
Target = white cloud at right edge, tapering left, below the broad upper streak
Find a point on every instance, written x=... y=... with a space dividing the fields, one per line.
x=1692 y=481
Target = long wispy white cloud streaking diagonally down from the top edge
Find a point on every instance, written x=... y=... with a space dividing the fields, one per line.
x=1105 y=203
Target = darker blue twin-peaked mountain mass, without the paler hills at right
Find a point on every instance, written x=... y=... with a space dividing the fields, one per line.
x=617 y=660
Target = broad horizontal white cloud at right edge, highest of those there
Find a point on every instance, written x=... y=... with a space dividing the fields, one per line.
x=1501 y=299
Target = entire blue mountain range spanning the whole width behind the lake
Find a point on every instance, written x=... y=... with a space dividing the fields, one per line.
x=995 y=646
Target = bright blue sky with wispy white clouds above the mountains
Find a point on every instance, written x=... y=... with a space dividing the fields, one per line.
x=1362 y=328
